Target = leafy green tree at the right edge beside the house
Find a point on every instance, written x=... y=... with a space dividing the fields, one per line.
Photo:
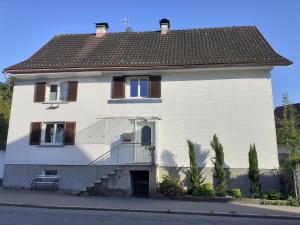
x=287 y=133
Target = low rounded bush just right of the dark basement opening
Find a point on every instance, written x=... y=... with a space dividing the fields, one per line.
x=170 y=186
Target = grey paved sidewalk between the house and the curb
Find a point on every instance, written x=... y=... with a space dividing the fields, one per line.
x=64 y=200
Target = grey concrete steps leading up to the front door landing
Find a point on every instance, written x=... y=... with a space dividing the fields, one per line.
x=106 y=185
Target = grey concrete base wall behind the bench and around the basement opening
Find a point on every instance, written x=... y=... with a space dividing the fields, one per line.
x=74 y=177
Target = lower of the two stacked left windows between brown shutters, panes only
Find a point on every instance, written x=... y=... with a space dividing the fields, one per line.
x=54 y=133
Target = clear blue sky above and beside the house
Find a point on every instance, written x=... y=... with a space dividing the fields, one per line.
x=26 y=25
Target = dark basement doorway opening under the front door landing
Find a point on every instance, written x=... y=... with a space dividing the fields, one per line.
x=140 y=183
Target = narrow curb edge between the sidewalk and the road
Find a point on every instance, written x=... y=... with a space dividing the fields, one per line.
x=167 y=211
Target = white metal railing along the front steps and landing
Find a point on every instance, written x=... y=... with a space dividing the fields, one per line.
x=127 y=154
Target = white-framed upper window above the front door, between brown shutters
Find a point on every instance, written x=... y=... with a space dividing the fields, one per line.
x=138 y=87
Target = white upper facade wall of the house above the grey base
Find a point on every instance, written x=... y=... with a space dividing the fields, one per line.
x=236 y=105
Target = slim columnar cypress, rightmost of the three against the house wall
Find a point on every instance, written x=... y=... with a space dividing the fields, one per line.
x=253 y=172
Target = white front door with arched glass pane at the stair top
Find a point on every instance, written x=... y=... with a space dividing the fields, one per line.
x=144 y=140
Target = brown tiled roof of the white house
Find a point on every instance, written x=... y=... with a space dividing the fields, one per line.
x=209 y=47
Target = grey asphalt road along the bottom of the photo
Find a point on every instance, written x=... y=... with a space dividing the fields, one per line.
x=36 y=216
